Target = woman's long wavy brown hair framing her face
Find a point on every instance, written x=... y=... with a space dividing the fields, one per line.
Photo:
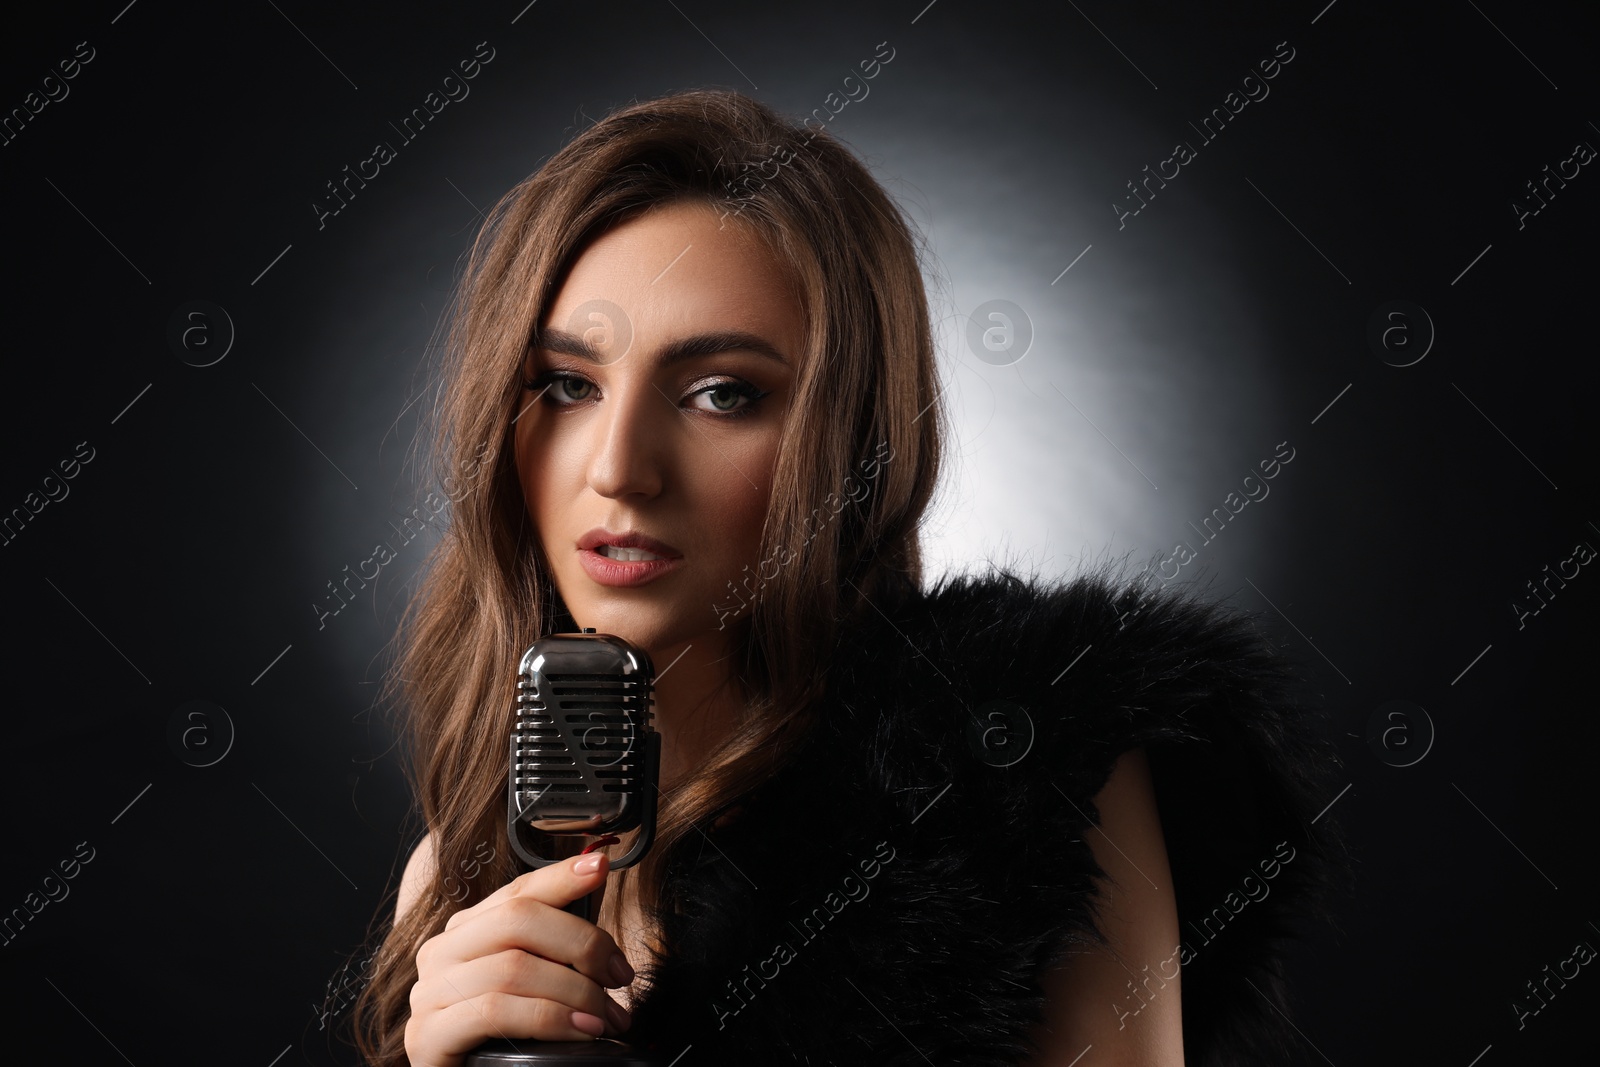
x=866 y=407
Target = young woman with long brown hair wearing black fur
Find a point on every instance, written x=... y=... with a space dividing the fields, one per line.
x=692 y=401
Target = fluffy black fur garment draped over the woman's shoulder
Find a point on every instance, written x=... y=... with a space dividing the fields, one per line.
x=895 y=893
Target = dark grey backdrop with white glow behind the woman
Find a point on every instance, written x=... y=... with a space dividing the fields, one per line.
x=1178 y=351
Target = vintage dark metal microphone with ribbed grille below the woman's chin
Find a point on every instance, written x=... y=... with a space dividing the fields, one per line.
x=585 y=762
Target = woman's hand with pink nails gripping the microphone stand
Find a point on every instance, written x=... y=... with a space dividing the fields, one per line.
x=500 y=970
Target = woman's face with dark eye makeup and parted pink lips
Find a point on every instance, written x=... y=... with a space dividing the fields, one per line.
x=662 y=380
